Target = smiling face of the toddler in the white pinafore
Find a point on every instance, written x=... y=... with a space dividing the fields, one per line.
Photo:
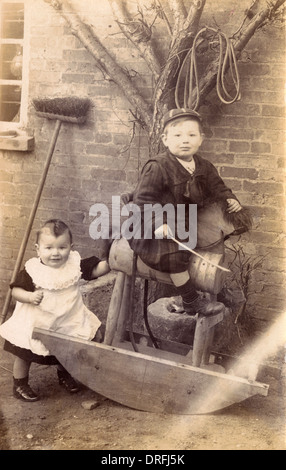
x=53 y=251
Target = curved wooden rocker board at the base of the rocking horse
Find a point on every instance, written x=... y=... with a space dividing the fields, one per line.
x=146 y=381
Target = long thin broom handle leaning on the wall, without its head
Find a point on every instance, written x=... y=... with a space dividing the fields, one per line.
x=31 y=218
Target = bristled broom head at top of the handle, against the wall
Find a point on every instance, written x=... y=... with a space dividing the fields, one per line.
x=69 y=109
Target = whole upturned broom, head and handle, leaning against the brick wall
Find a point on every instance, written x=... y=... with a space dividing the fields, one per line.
x=72 y=110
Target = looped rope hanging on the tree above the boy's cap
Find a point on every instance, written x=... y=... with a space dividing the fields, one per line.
x=191 y=82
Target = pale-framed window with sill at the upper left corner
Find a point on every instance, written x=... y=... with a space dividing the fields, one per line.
x=13 y=75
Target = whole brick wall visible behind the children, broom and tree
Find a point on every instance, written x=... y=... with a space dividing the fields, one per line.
x=99 y=159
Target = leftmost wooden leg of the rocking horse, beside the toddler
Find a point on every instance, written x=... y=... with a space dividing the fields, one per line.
x=114 y=309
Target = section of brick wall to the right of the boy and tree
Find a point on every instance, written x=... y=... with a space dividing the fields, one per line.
x=247 y=145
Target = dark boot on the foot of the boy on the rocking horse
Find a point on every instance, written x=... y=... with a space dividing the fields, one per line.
x=193 y=304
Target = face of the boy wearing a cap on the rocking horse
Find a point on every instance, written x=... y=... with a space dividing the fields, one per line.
x=183 y=138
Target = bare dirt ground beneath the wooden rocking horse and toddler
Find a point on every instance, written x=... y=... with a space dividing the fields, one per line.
x=59 y=421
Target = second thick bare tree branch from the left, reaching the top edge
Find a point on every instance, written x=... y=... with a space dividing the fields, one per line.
x=144 y=45
